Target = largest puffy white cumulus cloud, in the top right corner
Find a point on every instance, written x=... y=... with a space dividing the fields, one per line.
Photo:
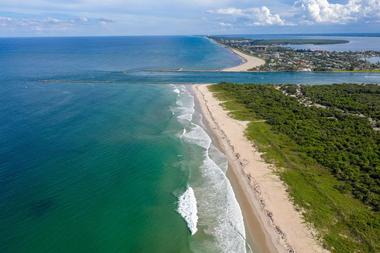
x=322 y=11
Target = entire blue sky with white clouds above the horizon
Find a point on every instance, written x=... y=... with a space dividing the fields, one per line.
x=186 y=17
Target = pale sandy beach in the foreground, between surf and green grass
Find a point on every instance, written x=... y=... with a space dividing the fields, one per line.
x=270 y=217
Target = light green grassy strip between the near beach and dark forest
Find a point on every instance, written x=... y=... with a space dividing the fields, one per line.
x=344 y=223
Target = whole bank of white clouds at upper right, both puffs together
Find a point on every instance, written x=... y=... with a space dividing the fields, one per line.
x=304 y=11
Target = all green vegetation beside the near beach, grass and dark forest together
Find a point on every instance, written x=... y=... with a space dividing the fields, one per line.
x=326 y=145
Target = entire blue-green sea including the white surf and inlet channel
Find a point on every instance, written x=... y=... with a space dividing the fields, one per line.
x=102 y=149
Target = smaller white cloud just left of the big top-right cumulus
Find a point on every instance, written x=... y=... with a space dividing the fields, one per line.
x=252 y=16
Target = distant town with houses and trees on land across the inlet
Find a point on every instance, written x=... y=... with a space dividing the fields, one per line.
x=279 y=56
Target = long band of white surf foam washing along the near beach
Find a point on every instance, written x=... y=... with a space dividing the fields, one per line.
x=218 y=210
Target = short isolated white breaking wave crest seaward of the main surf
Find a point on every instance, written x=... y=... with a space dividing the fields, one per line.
x=187 y=207
